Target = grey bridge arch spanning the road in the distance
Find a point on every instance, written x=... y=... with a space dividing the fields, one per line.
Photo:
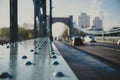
x=67 y=21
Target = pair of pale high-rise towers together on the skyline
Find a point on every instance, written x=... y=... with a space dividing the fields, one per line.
x=84 y=22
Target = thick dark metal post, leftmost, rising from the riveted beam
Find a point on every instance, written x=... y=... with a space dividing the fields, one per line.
x=13 y=21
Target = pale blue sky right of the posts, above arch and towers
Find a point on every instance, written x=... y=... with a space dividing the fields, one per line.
x=108 y=10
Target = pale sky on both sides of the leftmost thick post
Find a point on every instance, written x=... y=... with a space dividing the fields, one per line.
x=25 y=12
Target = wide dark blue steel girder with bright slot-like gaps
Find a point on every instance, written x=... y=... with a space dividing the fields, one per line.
x=40 y=12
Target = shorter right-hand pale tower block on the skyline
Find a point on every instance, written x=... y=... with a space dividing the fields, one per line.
x=97 y=24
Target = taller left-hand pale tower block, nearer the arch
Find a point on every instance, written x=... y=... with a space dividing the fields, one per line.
x=84 y=20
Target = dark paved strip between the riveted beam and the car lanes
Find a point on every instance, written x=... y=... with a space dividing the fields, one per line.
x=85 y=66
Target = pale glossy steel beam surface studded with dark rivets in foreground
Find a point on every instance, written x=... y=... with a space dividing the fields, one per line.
x=33 y=60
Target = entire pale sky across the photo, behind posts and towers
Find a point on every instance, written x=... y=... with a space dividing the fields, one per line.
x=106 y=9
